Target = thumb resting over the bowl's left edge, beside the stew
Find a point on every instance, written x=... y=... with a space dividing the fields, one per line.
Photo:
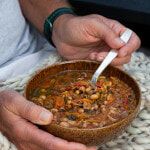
x=26 y=109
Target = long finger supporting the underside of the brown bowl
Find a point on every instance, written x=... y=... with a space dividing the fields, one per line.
x=27 y=132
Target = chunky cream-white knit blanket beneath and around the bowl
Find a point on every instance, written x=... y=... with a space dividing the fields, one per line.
x=137 y=136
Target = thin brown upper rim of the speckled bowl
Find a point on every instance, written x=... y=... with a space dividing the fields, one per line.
x=88 y=61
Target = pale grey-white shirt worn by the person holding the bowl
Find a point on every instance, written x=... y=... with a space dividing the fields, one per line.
x=20 y=44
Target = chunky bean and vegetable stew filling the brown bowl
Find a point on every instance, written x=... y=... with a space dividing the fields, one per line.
x=76 y=103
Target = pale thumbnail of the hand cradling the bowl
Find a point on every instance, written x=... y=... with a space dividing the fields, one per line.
x=45 y=117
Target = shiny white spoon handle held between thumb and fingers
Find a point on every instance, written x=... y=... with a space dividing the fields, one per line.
x=111 y=55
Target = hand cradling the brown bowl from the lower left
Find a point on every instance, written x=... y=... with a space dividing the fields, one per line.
x=17 y=118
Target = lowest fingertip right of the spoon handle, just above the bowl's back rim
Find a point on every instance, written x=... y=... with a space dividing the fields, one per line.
x=121 y=61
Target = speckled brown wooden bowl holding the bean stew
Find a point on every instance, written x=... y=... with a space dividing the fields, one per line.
x=95 y=136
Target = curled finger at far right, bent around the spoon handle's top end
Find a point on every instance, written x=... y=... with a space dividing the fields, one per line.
x=133 y=44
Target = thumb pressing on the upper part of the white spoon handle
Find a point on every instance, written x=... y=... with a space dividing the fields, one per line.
x=109 y=36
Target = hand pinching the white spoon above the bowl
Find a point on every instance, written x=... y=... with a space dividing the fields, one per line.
x=91 y=37
